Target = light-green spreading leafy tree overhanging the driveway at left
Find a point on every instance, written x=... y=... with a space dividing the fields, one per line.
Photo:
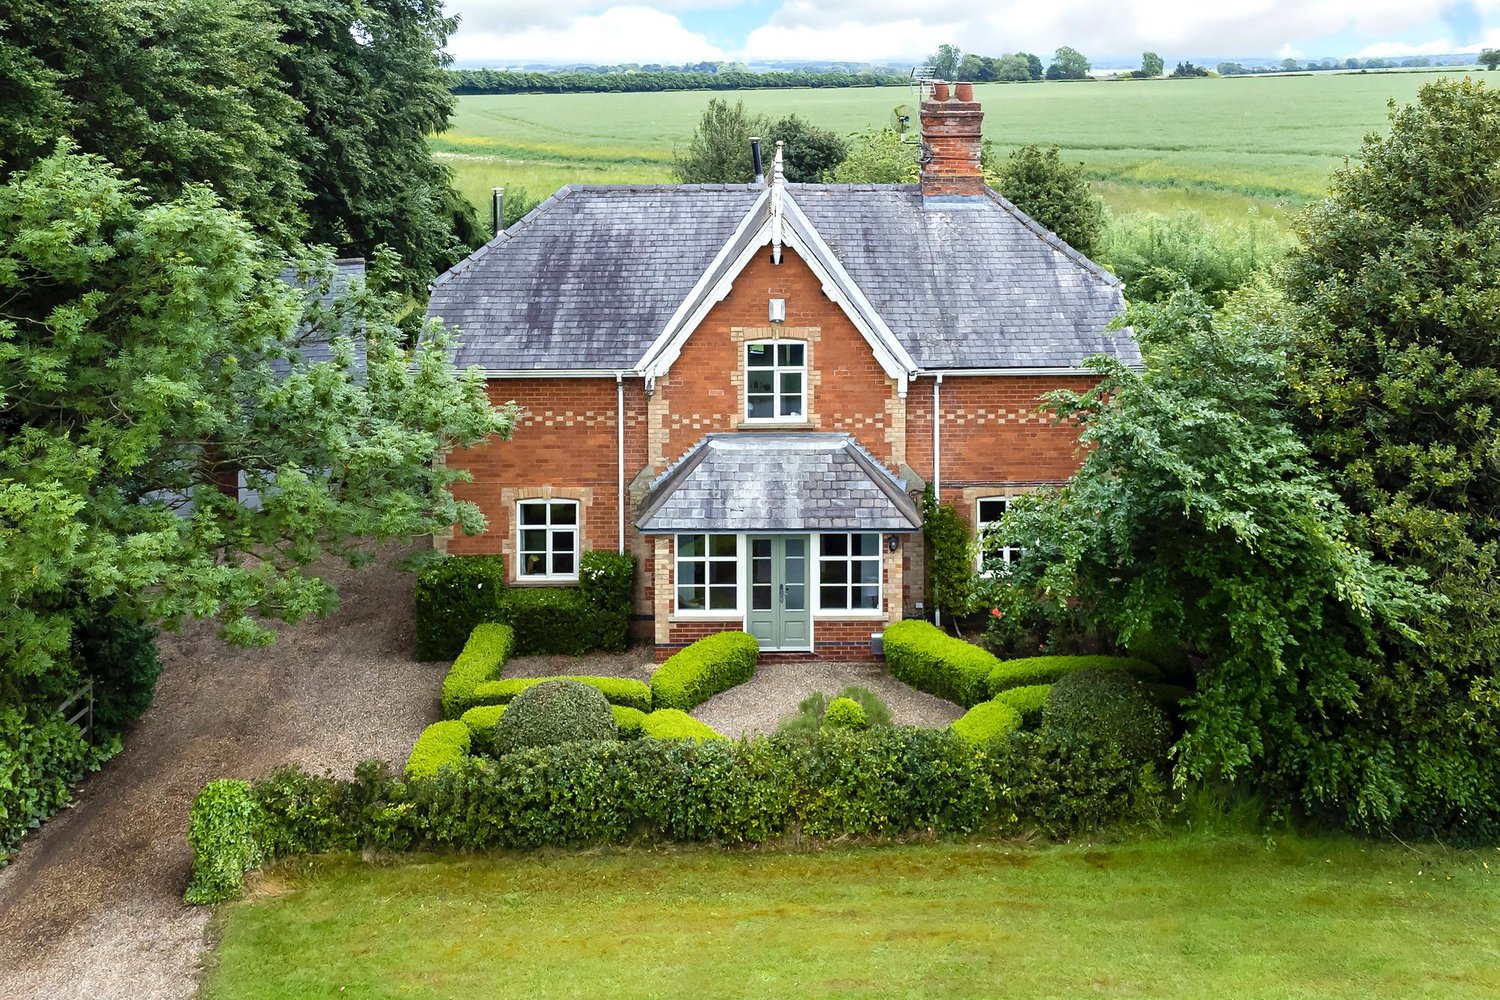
x=149 y=353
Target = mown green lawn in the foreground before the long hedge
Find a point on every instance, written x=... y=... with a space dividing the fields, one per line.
x=1177 y=918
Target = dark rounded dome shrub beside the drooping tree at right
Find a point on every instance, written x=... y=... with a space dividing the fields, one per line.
x=1108 y=707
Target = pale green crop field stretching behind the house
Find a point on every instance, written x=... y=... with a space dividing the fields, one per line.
x=1222 y=146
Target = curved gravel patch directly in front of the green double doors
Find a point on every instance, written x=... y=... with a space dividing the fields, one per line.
x=776 y=689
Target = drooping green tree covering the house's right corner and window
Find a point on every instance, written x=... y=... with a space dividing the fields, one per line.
x=1199 y=515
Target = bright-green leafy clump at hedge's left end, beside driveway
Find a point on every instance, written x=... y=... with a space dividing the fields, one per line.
x=224 y=831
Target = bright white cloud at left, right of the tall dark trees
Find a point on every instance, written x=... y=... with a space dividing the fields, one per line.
x=619 y=35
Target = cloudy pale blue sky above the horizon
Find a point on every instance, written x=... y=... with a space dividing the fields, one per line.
x=901 y=32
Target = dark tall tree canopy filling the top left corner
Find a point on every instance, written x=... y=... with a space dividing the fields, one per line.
x=308 y=118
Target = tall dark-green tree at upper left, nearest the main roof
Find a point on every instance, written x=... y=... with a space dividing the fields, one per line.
x=370 y=77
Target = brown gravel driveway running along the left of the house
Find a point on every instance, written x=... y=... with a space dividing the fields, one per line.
x=92 y=908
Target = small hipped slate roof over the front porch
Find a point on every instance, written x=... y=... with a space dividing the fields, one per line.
x=778 y=482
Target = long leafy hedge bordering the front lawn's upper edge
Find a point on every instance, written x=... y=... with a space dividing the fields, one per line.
x=881 y=782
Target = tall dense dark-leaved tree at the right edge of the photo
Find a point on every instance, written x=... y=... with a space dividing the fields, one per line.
x=1397 y=373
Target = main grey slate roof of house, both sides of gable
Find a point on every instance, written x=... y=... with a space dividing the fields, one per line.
x=593 y=275
